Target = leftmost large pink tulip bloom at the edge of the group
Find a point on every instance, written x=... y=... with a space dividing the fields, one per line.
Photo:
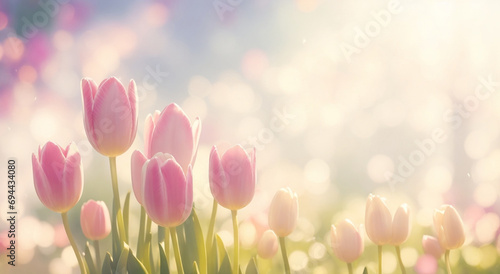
x=58 y=176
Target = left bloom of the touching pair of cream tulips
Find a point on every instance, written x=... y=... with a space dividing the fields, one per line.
x=378 y=220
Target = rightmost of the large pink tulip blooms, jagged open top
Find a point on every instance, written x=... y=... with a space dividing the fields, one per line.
x=232 y=177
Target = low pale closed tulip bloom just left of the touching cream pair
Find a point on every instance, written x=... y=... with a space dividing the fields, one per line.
x=347 y=243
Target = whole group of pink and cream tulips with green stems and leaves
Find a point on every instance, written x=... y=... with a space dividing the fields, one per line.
x=162 y=183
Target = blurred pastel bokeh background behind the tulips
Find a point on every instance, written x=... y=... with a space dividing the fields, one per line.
x=340 y=98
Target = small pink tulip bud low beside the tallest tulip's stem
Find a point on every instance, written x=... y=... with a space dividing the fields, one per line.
x=94 y=219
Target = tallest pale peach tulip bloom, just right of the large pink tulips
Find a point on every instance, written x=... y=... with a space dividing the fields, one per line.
x=284 y=212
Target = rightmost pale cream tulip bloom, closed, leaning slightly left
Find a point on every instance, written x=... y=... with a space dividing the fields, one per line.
x=449 y=227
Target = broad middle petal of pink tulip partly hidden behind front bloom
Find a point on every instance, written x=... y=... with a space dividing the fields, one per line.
x=173 y=134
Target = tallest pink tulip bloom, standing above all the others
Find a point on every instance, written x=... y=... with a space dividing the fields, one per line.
x=110 y=115
